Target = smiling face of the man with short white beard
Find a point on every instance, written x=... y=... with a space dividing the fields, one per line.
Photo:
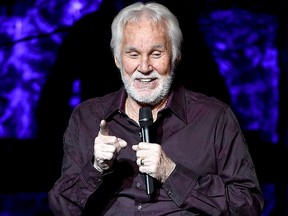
x=146 y=61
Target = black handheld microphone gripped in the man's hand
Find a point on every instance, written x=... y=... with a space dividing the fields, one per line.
x=145 y=121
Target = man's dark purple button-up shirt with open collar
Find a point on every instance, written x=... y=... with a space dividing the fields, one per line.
x=214 y=173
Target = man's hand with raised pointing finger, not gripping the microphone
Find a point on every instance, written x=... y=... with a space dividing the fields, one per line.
x=106 y=148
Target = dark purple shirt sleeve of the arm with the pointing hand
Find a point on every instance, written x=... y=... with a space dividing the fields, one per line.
x=79 y=179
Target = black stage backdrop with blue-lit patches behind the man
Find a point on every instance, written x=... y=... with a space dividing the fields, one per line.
x=55 y=54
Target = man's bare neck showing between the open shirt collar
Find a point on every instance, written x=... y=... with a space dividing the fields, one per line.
x=132 y=108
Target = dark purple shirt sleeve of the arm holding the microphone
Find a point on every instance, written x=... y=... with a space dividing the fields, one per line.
x=232 y=190
